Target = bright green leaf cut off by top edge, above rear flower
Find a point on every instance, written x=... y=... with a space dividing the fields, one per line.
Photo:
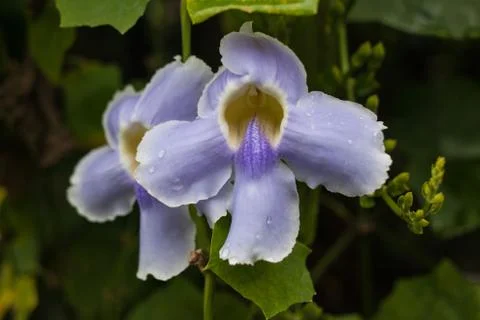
x=121 y=14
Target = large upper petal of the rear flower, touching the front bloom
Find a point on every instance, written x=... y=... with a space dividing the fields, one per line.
x=173 y=92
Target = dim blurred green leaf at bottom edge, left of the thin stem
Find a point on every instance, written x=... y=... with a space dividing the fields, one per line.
x=180 y=299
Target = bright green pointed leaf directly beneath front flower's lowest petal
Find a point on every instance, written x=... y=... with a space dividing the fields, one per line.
x=272 y=286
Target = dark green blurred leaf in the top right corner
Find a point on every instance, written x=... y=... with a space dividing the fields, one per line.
x=444 y=18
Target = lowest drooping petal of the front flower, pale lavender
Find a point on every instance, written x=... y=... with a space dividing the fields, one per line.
x=265 y=217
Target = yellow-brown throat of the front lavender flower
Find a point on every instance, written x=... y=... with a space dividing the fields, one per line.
x=246 y=104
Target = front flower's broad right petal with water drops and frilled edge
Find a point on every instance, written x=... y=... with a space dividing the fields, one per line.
x=335 y=143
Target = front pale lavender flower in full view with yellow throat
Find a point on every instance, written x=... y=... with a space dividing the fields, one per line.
x=258 y=122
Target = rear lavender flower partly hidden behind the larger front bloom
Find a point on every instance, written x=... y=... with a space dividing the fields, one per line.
x=102 y=185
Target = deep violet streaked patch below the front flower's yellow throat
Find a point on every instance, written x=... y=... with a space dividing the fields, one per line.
x=255 y=157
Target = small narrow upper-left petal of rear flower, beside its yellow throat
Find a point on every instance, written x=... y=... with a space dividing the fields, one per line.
x=118 y=113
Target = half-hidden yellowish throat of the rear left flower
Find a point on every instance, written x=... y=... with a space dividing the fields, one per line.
x=130 y=138
